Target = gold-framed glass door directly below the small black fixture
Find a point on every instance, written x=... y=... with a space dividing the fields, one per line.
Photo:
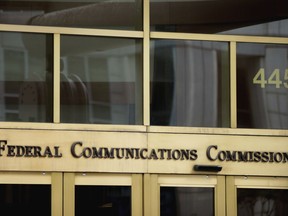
x=183 y=195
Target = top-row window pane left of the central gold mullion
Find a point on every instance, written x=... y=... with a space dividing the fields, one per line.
x=114 y=14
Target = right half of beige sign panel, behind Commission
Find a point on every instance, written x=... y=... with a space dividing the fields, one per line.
x=231 y=143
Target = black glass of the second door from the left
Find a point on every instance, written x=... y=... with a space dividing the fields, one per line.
x=103 y=200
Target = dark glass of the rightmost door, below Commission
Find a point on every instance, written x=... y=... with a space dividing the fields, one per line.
x=262 y=202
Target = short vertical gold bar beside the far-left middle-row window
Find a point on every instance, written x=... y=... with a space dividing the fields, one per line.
x=56 y=79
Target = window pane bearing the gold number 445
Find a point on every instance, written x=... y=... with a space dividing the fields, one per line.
x=262 y=86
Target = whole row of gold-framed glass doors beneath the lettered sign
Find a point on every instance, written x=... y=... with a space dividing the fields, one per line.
x=105 y=194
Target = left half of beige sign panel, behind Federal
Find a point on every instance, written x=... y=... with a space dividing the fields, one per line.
x=64 y=140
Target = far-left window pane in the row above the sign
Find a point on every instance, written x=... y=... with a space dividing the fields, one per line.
x=25 y=77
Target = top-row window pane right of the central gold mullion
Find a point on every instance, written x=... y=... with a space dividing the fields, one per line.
x=220 y=16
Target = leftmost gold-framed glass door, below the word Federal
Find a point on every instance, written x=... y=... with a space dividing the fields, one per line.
x=31 y=194
